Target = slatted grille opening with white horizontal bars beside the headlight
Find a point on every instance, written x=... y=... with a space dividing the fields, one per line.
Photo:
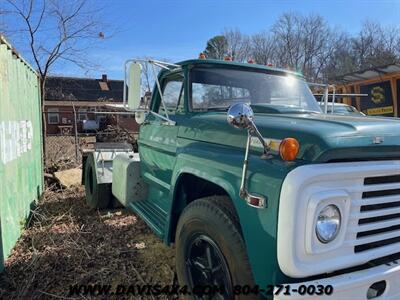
x=379 y=222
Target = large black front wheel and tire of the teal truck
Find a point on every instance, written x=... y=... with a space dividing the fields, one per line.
x=210 y=250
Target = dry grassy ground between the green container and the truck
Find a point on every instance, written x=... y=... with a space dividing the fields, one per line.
x=67 y=243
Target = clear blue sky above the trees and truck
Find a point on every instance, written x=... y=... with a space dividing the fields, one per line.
x=179 y=30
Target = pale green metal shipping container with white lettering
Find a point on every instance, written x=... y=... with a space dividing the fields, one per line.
x=21 y=167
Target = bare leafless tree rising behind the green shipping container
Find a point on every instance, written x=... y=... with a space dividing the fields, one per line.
x=56 y=31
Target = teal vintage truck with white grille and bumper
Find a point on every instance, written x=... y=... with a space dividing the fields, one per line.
x=259 y=192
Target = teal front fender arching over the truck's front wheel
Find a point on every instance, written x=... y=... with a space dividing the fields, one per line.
x=222 y=166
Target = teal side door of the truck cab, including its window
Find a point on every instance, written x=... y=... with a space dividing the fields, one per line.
x=158 y=146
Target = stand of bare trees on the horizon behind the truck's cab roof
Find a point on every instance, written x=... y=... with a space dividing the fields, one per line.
x=308 y=44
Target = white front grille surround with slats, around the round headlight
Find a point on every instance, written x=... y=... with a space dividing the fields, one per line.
x=368 y=194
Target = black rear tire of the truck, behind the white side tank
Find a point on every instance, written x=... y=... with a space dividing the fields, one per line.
x=97 y=195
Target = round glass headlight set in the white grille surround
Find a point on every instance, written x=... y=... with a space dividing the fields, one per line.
x=328 y=223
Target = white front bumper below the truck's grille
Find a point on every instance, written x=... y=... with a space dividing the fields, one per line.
x=354 y=285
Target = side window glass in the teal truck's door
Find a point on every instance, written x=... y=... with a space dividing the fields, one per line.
x=173 y=97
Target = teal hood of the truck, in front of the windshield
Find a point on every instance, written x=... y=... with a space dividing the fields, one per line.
x=322 y=137
